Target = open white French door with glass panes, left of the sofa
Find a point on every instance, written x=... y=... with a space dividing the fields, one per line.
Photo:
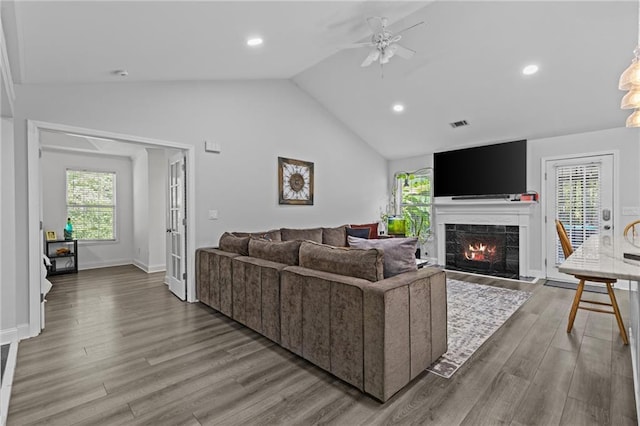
x=176 y=229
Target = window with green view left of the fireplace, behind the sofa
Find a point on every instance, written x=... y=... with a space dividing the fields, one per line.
x=413 y=192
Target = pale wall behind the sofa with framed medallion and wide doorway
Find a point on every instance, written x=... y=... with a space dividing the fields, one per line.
x=254 y=121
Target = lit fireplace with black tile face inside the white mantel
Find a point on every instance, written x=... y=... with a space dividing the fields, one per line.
x=485 y=249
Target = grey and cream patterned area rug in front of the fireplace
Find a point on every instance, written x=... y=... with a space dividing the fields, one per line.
x=475 y=312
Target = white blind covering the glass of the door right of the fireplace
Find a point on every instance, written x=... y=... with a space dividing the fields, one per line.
x=577 y=203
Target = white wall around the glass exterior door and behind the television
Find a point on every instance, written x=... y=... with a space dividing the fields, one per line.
x=627 y=176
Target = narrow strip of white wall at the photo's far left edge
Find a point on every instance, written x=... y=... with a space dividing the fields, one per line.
x=8 y=282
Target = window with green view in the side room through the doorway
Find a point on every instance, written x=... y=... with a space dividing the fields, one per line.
x=91 y=204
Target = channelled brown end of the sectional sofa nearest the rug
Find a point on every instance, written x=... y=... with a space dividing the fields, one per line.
x=405 y=329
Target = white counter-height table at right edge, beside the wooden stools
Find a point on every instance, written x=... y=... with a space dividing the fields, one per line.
x=603 y=256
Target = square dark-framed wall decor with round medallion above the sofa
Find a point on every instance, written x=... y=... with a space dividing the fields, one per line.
x=295 y=181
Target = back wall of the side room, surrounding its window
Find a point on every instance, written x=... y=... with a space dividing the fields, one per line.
x=90 y=254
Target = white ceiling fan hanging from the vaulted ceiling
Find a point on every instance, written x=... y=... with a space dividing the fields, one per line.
x=384 y=42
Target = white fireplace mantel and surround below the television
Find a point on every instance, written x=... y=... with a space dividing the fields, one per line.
x=485 y=212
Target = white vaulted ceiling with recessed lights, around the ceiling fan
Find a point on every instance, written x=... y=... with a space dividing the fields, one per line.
x=467 y=67
